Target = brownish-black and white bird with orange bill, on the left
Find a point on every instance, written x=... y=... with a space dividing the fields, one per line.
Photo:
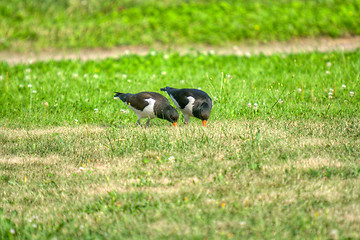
x=150 y=105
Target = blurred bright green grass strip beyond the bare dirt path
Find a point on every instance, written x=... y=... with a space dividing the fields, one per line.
x=36 y=24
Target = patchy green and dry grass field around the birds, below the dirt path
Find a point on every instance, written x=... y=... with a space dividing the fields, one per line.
x=73 y=164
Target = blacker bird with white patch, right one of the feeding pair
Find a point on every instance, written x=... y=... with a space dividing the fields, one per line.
x=191 y=102
